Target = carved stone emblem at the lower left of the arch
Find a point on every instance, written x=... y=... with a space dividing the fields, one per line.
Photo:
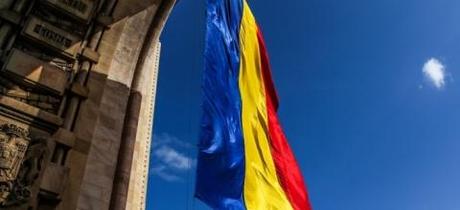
x=21 y=161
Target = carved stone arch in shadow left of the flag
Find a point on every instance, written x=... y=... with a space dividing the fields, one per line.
x=77 y=90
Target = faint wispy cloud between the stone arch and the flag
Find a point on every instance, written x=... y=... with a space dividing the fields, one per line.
x=169 y=162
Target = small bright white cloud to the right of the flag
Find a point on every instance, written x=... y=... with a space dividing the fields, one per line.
x=435 y=72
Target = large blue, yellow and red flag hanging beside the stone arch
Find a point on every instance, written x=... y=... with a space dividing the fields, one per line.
x=244 y=160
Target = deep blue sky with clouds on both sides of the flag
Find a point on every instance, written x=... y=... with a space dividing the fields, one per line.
x=370 y=101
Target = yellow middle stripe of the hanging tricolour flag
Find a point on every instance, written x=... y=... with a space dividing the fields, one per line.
x=262 y=190
